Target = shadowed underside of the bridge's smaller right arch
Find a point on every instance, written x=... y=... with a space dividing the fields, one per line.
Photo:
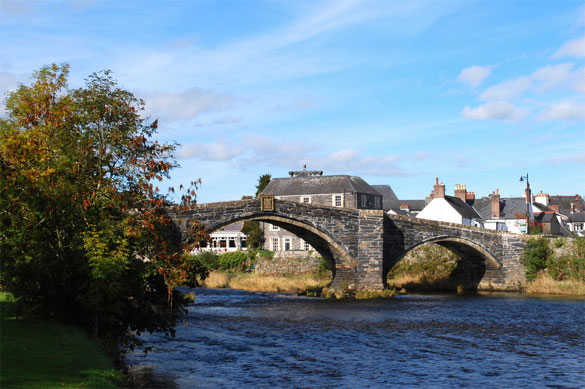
x=474 y=262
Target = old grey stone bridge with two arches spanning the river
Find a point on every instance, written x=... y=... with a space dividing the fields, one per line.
x=363 y=245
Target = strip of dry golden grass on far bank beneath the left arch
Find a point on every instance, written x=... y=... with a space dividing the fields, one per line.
x=255 y=282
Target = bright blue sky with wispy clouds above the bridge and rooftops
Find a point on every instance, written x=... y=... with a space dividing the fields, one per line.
x=473 y=92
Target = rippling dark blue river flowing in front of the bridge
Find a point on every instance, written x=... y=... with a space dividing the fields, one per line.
x=232 y=338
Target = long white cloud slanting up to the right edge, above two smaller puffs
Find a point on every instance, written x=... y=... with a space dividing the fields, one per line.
x=546 y=78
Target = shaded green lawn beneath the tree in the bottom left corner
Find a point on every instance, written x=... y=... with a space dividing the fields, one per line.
x=45 y=354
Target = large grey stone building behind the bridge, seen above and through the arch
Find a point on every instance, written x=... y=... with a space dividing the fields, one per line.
x=312 y=187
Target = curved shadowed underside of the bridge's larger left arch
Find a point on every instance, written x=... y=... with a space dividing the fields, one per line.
x=322 y=242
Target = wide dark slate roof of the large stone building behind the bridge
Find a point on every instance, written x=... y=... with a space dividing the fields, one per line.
x=307 y=185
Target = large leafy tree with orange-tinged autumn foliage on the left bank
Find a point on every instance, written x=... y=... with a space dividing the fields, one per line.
x=84 y=233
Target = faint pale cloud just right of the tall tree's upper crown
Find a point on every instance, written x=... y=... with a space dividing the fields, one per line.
x=175 y=105
